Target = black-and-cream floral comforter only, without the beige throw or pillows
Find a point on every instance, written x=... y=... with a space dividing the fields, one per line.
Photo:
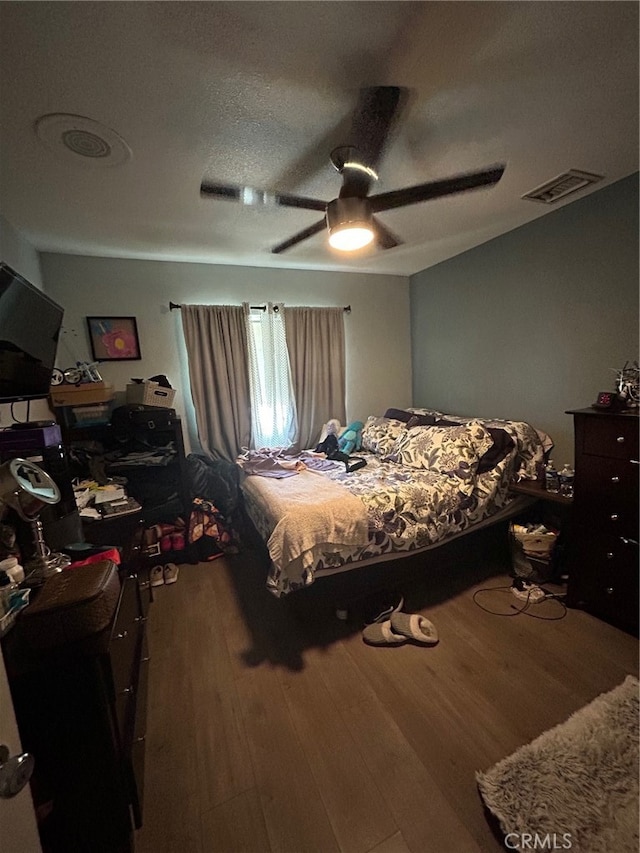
x=406 y=508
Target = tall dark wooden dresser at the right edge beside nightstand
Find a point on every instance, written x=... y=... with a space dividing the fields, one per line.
x=603 y=552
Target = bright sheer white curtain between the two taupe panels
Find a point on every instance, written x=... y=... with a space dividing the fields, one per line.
x=273 y=408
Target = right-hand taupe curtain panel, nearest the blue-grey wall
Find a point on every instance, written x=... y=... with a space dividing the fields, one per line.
x=315 y=340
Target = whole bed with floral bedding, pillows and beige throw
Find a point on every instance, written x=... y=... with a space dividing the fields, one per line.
x=429 y=477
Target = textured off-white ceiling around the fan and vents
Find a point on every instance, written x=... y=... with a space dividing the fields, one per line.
x=259 y=93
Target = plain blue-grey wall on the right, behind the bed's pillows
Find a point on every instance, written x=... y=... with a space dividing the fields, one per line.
x=532 y=323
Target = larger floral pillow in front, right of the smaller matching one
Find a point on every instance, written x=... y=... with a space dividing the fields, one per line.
x=452 y=450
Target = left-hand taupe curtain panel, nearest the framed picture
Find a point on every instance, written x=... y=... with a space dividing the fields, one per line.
x=216 y=341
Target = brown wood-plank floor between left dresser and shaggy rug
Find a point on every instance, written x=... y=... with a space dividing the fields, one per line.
x=273 y=727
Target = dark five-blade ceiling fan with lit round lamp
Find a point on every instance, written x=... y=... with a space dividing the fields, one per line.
x=350 y=218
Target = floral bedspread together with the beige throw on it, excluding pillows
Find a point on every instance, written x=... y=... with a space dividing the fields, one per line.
x=321 y=522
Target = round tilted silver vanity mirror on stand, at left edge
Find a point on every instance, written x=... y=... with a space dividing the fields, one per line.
x=27 y=489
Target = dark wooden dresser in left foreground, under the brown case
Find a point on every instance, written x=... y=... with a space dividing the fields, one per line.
x=81 y=711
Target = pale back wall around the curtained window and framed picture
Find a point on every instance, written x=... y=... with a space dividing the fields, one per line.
x=378 y=346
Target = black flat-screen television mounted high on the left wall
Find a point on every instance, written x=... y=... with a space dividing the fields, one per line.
x=30 y=324
